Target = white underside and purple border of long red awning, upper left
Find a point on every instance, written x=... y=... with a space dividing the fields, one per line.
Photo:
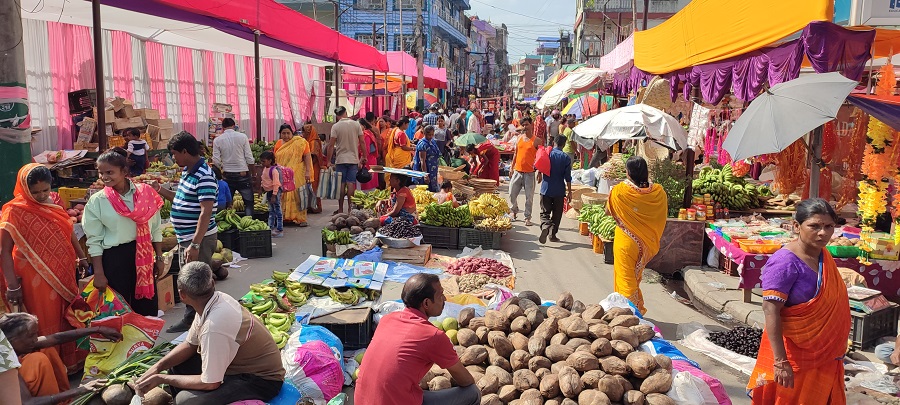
x=171 y=26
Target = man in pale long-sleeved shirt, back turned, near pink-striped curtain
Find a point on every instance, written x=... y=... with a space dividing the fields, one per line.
x=231 y=153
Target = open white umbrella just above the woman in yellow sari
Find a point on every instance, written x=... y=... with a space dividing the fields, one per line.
x=633 y=122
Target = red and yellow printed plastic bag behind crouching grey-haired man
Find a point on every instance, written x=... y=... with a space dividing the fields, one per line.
x=139 y=333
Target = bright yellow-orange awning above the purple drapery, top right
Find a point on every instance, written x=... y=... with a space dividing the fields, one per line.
x=712 y=30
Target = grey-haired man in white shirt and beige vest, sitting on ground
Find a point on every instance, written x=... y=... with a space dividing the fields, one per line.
x=228 y=354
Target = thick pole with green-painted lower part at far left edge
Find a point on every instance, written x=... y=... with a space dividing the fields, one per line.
x=15 y=128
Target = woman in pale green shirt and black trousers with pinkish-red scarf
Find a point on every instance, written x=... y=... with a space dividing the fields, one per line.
x=122 y=226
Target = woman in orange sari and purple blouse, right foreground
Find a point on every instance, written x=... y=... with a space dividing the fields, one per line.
x=807 y=311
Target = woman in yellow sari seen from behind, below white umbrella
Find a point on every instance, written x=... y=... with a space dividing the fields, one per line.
x=639 y=209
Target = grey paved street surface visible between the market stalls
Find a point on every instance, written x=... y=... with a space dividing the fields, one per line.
x=548 y=270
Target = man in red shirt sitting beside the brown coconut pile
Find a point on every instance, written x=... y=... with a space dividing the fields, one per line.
x=405 y=347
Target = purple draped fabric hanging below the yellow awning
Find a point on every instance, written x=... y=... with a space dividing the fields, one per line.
x=828 y=47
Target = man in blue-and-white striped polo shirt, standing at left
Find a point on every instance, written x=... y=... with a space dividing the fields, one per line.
x=193 y=204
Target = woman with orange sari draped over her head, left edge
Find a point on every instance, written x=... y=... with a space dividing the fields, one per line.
x=39 y=255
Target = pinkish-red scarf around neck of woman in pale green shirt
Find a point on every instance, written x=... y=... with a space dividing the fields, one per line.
x=146 y=203
